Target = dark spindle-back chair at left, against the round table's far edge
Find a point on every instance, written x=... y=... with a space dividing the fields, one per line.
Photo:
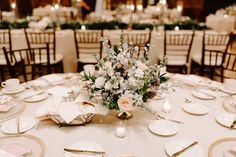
x=25 y=62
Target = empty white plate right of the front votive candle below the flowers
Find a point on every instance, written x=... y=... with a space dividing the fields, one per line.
x=163 y=127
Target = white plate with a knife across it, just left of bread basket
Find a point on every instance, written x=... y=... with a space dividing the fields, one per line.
x=25 y=124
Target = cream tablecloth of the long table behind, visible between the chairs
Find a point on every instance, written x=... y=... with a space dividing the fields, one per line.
x=65 y=45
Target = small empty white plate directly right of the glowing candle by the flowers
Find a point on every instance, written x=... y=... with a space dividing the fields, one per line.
x=196 y=108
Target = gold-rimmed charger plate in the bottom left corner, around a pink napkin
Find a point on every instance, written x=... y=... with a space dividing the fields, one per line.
x=35 y=144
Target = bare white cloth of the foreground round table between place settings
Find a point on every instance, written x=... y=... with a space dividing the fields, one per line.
x=139 y=141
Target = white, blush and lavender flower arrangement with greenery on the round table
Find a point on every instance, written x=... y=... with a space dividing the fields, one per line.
x=123 y=79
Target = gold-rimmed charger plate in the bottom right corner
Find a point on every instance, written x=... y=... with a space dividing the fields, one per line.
x=221 y=147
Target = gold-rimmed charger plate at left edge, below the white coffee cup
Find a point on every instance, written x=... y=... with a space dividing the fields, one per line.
x=18 y=108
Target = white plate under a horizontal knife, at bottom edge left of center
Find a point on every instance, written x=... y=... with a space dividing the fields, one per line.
x=84 y=145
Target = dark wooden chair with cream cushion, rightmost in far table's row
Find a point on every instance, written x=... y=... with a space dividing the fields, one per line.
x=214 y=49
